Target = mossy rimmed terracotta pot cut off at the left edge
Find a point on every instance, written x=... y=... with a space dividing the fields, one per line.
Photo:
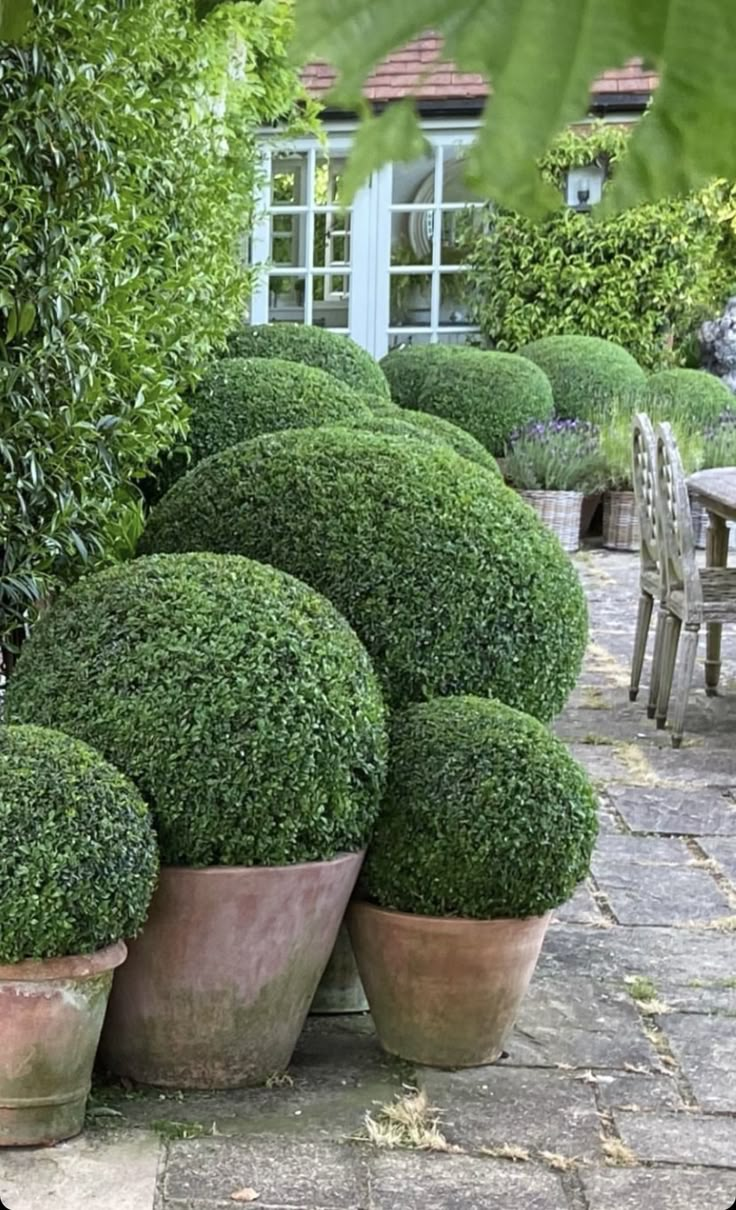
x=51 y=1015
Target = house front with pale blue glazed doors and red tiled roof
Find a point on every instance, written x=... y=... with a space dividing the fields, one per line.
x=387 y=272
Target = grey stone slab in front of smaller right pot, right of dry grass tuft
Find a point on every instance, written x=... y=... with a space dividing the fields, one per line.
x=515 y=1107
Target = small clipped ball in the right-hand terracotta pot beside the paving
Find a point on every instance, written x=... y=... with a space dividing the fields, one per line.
x=486 y=815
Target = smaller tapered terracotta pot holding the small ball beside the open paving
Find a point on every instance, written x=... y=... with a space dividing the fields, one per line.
x=445 y=993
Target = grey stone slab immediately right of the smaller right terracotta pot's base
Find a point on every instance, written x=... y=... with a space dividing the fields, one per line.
x=580 y=1024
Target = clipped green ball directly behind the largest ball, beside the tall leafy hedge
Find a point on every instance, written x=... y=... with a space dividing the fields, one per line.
x=243 y=397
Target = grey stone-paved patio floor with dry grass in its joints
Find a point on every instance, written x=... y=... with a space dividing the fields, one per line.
x=619 y=1091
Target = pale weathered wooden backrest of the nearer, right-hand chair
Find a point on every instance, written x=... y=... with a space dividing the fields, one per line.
x=676 y=523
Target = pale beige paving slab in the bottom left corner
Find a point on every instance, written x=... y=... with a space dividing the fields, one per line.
x=103 y=1173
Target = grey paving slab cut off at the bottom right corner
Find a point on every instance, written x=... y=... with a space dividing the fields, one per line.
x=664 y=1189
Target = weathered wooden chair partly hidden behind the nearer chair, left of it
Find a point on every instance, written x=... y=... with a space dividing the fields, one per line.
x=652 y=581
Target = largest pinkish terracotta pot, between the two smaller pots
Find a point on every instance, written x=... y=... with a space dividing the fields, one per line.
x=218 y=986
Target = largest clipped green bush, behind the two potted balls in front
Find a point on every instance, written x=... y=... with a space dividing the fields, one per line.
x=448 y=578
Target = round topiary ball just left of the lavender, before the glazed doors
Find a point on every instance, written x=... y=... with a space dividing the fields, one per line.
x=491 y=395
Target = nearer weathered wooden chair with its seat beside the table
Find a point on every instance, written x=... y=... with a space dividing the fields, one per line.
x=693 y=597
